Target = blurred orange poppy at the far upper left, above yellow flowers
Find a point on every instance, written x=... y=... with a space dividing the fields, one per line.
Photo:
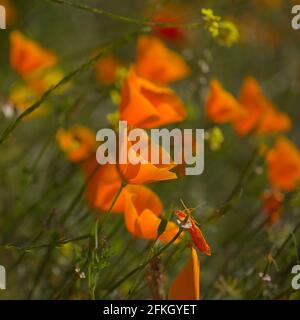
x=27 y=56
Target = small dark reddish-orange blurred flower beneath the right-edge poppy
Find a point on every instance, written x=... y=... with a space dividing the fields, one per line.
x=272 y=203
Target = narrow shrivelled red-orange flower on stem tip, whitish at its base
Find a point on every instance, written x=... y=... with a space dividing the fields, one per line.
x=196 y=234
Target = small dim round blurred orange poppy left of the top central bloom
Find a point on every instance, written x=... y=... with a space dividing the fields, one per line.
x=106 y=70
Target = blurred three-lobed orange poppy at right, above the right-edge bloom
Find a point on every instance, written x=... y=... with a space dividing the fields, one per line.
x=261 y=115
